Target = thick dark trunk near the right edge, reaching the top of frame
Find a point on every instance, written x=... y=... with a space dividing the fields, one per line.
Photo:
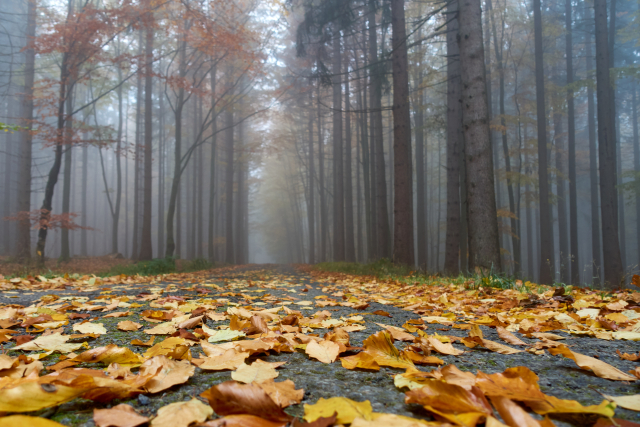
x=607 y=152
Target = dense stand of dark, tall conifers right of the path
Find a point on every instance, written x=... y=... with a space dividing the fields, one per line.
x=487 y=182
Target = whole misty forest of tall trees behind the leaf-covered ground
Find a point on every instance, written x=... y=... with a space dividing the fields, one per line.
x=269 y=131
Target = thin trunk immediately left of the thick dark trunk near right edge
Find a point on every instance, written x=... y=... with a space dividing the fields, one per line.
x=596 y=250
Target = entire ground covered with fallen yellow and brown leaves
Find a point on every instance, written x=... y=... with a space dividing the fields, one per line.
x=461 y=353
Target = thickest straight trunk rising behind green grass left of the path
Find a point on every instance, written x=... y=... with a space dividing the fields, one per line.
x=146 y=248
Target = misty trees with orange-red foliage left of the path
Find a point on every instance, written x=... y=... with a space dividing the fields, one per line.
x=120 y=92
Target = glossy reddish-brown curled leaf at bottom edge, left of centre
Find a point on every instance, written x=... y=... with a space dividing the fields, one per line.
x=232 y=398
